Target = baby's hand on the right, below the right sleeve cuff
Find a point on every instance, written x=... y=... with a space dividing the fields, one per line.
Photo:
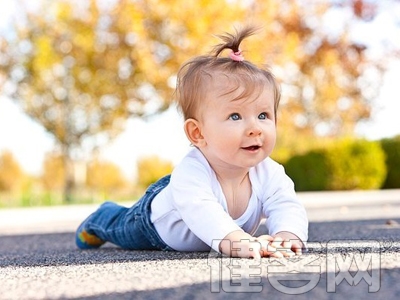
x=275 y=246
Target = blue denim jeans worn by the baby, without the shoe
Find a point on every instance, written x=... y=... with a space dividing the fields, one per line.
x=129 y=228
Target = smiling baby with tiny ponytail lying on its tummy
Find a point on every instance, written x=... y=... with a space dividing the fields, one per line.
x=222 y=189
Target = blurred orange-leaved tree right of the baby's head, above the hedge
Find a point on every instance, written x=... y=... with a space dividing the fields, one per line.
x=329 y=82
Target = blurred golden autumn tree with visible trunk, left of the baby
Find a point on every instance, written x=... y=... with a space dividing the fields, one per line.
x=82 y=73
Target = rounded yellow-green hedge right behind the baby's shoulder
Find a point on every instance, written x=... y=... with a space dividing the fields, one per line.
x=345 y=165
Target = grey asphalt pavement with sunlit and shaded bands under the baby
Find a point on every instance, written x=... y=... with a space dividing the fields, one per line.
x=354 y=251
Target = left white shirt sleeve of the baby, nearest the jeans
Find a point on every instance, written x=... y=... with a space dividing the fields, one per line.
x=194 y=192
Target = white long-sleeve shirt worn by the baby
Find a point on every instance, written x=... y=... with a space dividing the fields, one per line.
x=192 y=211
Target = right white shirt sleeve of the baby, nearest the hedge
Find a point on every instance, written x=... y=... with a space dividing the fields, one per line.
x=281 y=206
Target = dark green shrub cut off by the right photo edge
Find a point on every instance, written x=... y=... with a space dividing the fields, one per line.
x=392 y=151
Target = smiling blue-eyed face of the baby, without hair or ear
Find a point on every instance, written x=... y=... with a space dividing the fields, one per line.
x=238 y=133
